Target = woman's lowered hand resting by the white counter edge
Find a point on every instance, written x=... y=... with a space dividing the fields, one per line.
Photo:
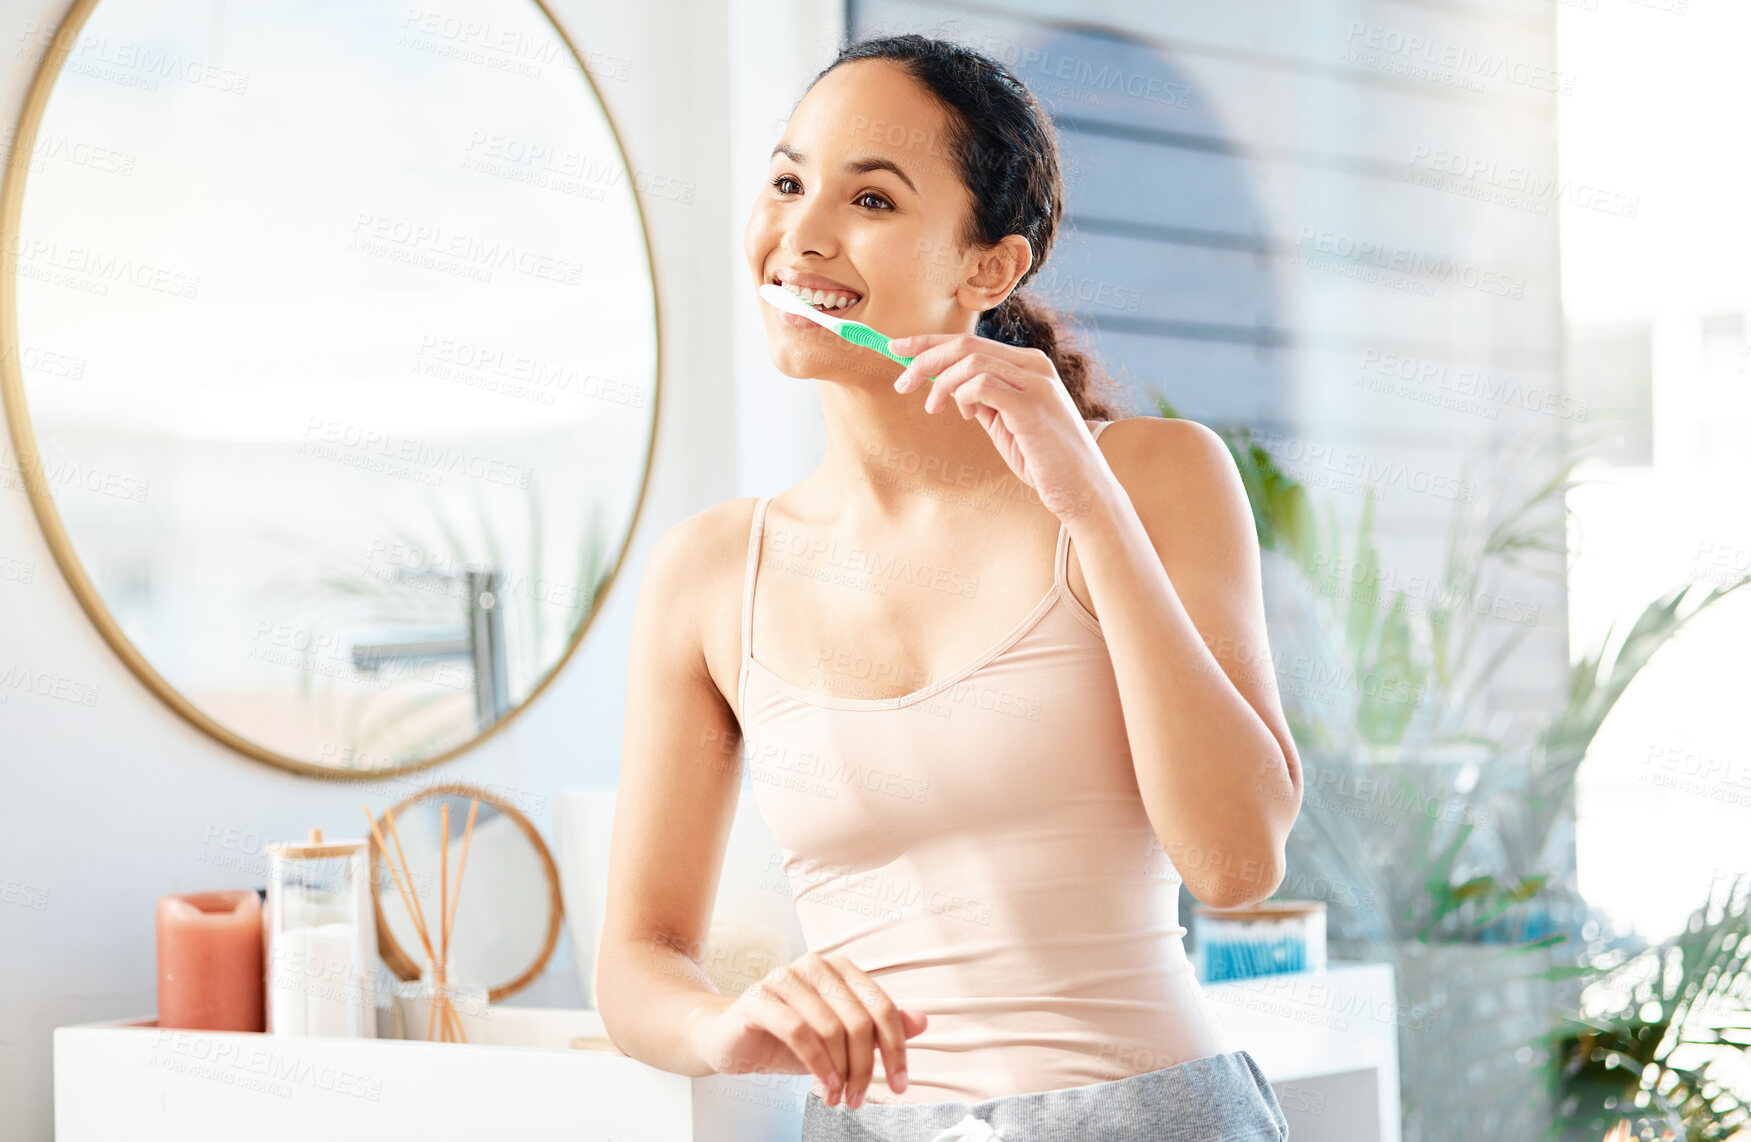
x=815 y=1015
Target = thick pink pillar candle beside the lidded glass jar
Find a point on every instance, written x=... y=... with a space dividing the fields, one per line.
x=211 y=962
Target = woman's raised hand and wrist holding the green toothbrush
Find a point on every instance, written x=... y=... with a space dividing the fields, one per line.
x=1022 y=402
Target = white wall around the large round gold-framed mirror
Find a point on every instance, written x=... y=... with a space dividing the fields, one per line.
x=106 y=808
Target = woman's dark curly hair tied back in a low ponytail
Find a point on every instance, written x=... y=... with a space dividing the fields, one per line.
x=1008 y=157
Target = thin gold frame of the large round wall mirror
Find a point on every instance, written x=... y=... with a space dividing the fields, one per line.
x=50 y=518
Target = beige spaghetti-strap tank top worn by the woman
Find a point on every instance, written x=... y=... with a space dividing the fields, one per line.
x=980 y=847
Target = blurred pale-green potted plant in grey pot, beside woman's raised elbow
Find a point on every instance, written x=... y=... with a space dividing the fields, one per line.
x=1426 y=822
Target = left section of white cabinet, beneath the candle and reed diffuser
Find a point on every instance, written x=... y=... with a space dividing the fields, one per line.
x=132 y=1080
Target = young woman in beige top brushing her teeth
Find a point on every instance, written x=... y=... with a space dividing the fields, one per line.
x=999 y=675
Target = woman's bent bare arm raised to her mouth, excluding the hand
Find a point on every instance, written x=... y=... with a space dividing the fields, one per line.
x=1172 y=567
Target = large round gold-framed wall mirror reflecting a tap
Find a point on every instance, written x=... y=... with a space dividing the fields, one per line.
x=330 y=360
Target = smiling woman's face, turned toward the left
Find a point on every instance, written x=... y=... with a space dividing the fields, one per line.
x=864 y=201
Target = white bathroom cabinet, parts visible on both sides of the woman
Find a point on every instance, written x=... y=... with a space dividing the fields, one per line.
x=1328 y=1043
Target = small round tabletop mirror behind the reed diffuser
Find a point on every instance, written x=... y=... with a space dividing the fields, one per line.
x=507 y=908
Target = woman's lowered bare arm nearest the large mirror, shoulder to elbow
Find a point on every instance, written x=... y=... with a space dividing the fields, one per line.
x=679 y=786
